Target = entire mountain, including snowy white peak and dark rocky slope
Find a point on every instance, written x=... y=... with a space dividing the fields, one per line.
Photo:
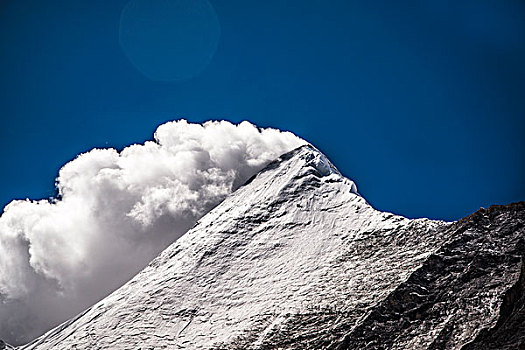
x=297 y=259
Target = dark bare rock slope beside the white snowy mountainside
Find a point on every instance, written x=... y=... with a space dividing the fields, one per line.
x=455 y=289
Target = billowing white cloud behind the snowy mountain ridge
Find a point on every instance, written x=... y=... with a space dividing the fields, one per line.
x=115 y=212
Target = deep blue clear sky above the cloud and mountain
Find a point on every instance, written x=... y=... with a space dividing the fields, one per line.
x=422 y=103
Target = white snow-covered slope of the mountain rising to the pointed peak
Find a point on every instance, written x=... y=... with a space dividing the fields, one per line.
x=295 y=258
